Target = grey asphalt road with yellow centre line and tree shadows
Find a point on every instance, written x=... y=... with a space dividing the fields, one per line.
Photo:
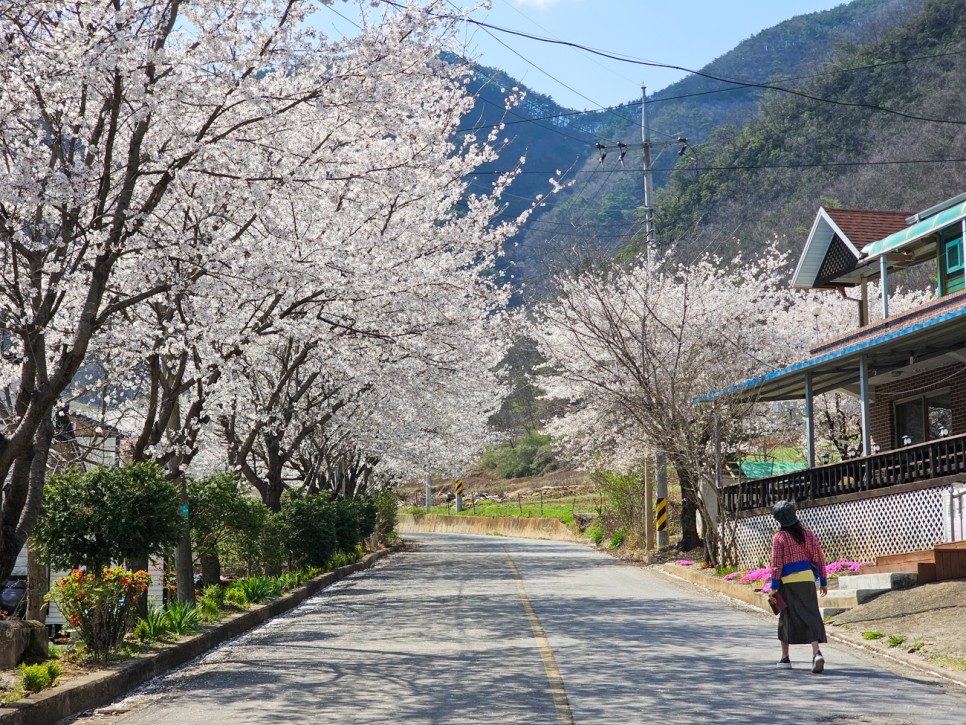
x=466 y=629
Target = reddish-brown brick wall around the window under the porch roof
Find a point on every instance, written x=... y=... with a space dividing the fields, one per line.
x=950 y=377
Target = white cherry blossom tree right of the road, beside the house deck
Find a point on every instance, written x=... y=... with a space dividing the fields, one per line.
x=632 y=348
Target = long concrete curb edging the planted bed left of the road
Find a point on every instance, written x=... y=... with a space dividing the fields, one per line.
x=100 y=688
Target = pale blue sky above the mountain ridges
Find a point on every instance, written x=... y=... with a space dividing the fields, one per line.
x=686 y=33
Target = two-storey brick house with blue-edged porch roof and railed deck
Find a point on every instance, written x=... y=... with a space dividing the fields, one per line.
x=902 y=490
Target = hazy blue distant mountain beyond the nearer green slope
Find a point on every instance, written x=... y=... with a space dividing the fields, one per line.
x=600 y=209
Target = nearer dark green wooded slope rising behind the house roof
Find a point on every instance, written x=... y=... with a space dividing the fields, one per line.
x=888 y=134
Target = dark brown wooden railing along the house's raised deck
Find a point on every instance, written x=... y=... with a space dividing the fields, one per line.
x=933 y=459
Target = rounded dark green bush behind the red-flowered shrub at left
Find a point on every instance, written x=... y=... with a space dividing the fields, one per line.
x=107 y=515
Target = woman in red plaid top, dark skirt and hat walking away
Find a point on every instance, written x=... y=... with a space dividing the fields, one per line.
x=797 y=561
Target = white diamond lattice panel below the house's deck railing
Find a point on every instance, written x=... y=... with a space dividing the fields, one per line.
x=855 y=530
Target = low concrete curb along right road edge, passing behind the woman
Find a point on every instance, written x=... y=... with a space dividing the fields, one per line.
x=758 y=600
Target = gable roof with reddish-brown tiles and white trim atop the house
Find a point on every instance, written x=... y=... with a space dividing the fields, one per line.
x=835 y=242
